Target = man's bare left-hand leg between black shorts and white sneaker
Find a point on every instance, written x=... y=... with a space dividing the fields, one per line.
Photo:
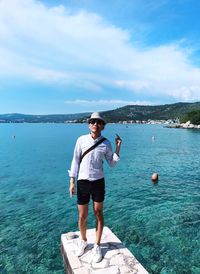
x=83 y=214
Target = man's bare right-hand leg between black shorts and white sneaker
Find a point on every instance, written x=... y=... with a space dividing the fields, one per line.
x=98 y=211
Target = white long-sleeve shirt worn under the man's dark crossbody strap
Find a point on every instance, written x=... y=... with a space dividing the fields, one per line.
x=91 y=167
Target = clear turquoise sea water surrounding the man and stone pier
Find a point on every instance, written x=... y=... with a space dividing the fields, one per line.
x=159 y=223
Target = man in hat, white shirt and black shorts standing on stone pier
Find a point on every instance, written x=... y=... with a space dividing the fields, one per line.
x=87 y=163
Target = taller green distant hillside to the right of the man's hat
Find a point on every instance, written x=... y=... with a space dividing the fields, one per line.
x=160 y=112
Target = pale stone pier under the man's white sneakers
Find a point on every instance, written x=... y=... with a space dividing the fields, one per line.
x=117 y=259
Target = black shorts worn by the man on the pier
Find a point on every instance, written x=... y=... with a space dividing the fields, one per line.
x=86 y=188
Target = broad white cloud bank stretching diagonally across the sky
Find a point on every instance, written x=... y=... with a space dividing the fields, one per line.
x=54 y=45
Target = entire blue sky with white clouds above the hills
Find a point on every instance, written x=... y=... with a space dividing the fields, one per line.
x=70 y=56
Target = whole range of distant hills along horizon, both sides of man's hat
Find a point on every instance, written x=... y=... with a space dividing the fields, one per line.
x=126 y=113
